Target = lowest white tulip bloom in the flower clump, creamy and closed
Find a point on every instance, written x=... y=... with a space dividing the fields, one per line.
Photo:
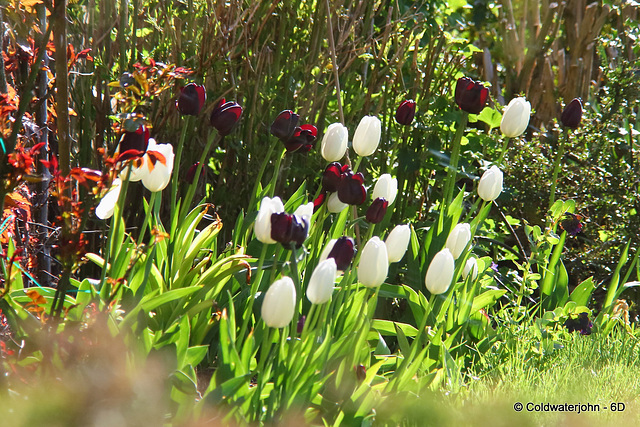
x=279 y=303
